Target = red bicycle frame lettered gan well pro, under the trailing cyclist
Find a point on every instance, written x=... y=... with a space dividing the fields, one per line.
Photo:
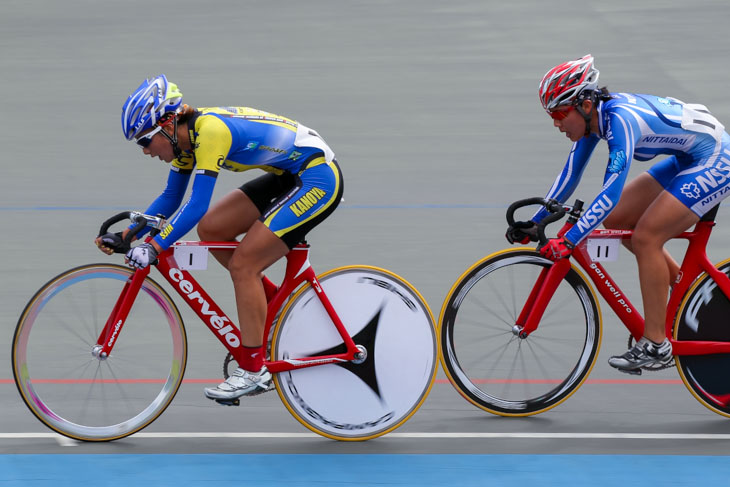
x=695 y=263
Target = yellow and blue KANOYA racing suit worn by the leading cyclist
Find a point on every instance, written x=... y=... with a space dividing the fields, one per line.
x=238 y=139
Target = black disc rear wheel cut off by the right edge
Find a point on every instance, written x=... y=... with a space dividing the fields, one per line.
x=703 y=315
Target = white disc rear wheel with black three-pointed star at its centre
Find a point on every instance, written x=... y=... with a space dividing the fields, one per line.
x=349 y=401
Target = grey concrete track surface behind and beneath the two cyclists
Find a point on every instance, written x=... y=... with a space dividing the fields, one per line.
x=432 y=110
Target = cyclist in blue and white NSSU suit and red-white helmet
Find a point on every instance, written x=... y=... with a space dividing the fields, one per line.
x=659 y=204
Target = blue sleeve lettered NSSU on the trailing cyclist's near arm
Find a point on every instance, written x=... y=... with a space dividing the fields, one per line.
x=623 y=134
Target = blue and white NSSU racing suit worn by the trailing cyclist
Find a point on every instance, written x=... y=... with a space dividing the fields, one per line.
x=642 y=127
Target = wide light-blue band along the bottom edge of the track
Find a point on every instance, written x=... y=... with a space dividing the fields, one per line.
x=356 y=470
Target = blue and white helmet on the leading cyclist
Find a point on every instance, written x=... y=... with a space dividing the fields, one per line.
x=154 y=98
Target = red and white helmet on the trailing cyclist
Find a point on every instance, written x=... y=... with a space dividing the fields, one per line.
x=565 y=82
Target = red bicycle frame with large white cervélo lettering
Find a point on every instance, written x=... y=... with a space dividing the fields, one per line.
x=298 y=271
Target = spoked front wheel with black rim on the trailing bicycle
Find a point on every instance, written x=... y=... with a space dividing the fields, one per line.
x=487 y=362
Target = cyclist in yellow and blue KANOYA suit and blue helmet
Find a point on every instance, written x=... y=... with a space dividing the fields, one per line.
x=303 y=186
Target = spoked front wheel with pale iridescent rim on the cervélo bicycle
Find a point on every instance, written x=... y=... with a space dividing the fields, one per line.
x=77 y=394
